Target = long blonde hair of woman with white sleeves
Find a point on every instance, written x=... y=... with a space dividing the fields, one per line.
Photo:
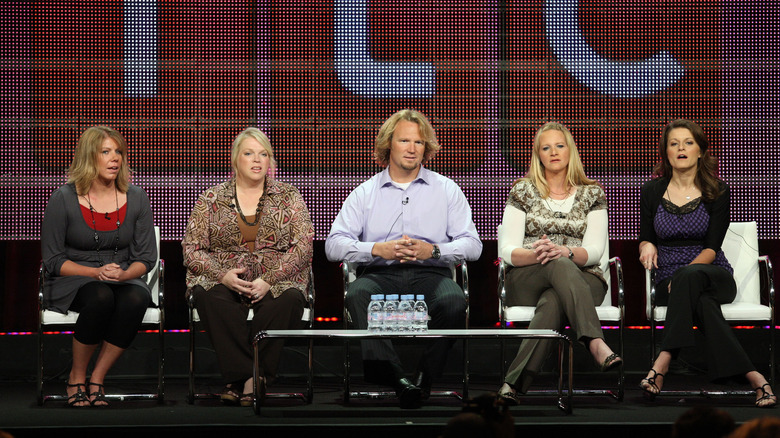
x=575 y=173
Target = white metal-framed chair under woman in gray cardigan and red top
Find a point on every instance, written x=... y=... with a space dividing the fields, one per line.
x=154 y=318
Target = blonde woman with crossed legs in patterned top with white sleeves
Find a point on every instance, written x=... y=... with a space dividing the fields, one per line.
x=554 y=231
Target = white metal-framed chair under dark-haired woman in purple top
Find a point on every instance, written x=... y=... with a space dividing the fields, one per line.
x=741 y=249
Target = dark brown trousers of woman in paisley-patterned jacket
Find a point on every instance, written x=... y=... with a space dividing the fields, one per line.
x=225 y=319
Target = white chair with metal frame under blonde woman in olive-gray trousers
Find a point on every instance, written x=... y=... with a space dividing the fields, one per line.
x=607 y=312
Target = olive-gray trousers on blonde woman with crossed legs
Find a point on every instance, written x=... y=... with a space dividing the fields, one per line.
x=561 y=292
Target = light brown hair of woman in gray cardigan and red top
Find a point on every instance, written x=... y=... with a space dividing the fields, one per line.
x=84 y=168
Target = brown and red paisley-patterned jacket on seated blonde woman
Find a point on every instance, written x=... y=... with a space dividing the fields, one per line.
x=213 y=243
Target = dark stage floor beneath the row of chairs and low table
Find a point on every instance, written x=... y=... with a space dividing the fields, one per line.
x=535 y=416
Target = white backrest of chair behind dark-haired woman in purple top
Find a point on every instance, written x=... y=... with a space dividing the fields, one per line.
x=741 y=249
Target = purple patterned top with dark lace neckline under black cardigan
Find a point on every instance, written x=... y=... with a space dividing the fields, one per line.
x=681 y=232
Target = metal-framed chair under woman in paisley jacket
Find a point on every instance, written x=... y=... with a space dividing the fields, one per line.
x=307 y=318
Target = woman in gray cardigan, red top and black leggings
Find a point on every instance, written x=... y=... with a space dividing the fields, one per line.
x=97 y=240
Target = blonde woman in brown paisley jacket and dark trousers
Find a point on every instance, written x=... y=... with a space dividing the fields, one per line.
x=248 y=244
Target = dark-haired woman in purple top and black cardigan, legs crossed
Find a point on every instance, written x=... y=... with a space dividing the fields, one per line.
x=684 y=218
